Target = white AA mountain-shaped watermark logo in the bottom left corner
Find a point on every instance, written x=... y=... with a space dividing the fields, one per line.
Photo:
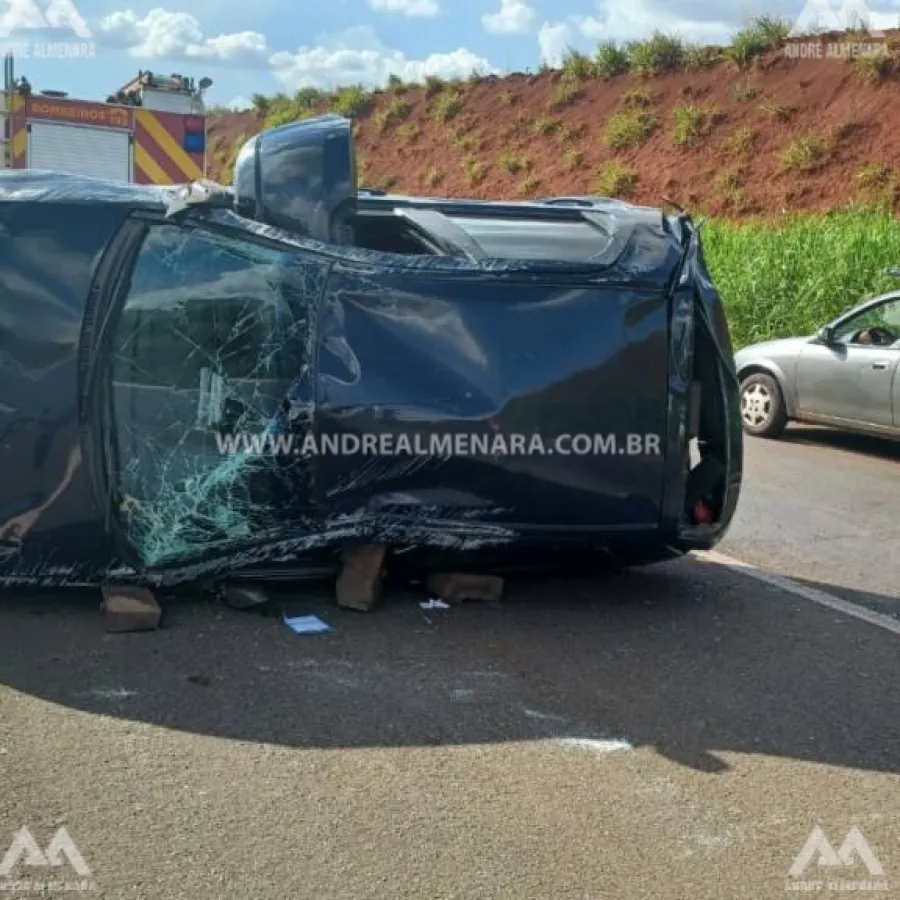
x=60 y=867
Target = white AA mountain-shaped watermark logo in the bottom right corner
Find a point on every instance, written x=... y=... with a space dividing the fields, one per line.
x=852 y=868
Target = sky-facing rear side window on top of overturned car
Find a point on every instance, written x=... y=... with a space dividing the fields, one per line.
x=576 y=241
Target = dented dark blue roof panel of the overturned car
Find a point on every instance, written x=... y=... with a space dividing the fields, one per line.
x=436 y=360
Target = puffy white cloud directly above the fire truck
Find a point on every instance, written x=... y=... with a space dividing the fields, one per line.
x=178 y=35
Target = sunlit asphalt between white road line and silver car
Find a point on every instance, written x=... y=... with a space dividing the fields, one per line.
x=823 y=508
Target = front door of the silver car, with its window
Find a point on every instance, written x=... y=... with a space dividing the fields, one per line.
x=852 y=378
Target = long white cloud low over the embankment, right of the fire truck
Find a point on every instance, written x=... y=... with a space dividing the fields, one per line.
x=358 y=56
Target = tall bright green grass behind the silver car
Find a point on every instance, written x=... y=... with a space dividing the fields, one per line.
x=785 y=279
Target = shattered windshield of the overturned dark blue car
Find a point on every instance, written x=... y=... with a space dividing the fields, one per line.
x=206 y=359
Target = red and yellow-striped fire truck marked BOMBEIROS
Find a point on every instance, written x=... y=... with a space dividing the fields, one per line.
x=150 y=131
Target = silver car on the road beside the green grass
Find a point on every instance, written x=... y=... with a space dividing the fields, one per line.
x=847 y=376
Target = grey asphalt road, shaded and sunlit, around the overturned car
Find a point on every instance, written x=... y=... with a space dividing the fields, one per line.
x=676 y=732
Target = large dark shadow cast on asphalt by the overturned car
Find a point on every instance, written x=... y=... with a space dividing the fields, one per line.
x=691 y=659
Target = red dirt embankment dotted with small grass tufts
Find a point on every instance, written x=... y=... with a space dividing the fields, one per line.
x=541 y=135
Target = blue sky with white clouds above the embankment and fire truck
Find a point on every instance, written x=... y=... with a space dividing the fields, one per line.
x=271 y=45
